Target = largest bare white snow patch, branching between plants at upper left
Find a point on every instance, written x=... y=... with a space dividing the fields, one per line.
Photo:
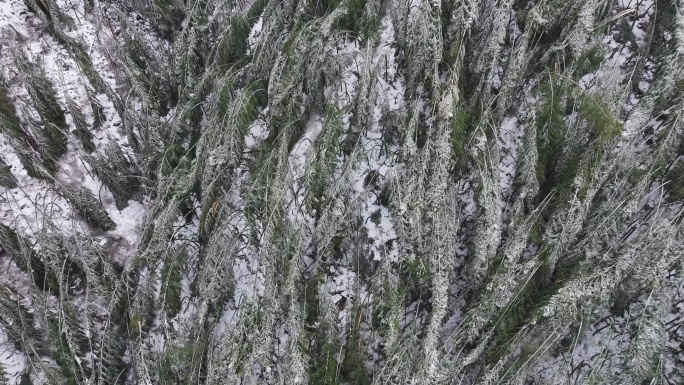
x=27 y=207
